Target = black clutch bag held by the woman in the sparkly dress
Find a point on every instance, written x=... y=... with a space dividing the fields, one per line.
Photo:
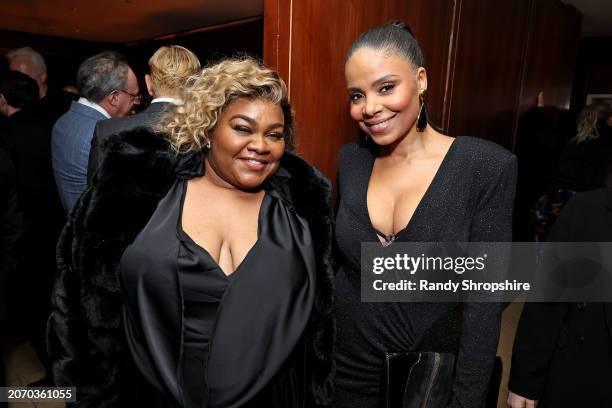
x=417 y=379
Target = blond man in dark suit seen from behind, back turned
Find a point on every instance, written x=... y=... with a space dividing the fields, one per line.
x=169 y=67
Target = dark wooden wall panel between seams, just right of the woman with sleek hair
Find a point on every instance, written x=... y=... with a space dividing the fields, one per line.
x=486 y=78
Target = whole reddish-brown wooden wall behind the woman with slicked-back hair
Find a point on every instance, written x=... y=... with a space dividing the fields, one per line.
x=487 y=61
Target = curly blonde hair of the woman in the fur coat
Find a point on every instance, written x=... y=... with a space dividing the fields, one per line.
x=207 y=94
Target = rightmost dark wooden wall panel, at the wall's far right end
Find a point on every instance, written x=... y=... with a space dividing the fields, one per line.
x=551 y=56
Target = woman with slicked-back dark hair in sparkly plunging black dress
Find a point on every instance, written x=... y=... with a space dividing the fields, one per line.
x=408 y=182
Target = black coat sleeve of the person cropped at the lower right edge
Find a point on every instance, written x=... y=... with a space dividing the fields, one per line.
x=539 y=327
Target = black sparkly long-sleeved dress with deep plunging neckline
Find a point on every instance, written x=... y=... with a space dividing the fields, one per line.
x=469 y=199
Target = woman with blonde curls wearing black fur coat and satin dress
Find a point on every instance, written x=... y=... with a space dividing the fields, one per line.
x=216 y=245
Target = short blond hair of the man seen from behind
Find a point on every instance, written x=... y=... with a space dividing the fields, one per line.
x=170 y=66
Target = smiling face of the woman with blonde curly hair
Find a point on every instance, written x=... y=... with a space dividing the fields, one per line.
x=247 y=144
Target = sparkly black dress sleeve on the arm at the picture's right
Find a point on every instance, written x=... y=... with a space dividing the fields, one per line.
x=492 y=222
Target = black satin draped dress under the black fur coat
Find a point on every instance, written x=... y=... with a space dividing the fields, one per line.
x=205 y=339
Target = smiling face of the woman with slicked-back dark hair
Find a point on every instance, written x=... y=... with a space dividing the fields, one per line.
x=384 y=92
